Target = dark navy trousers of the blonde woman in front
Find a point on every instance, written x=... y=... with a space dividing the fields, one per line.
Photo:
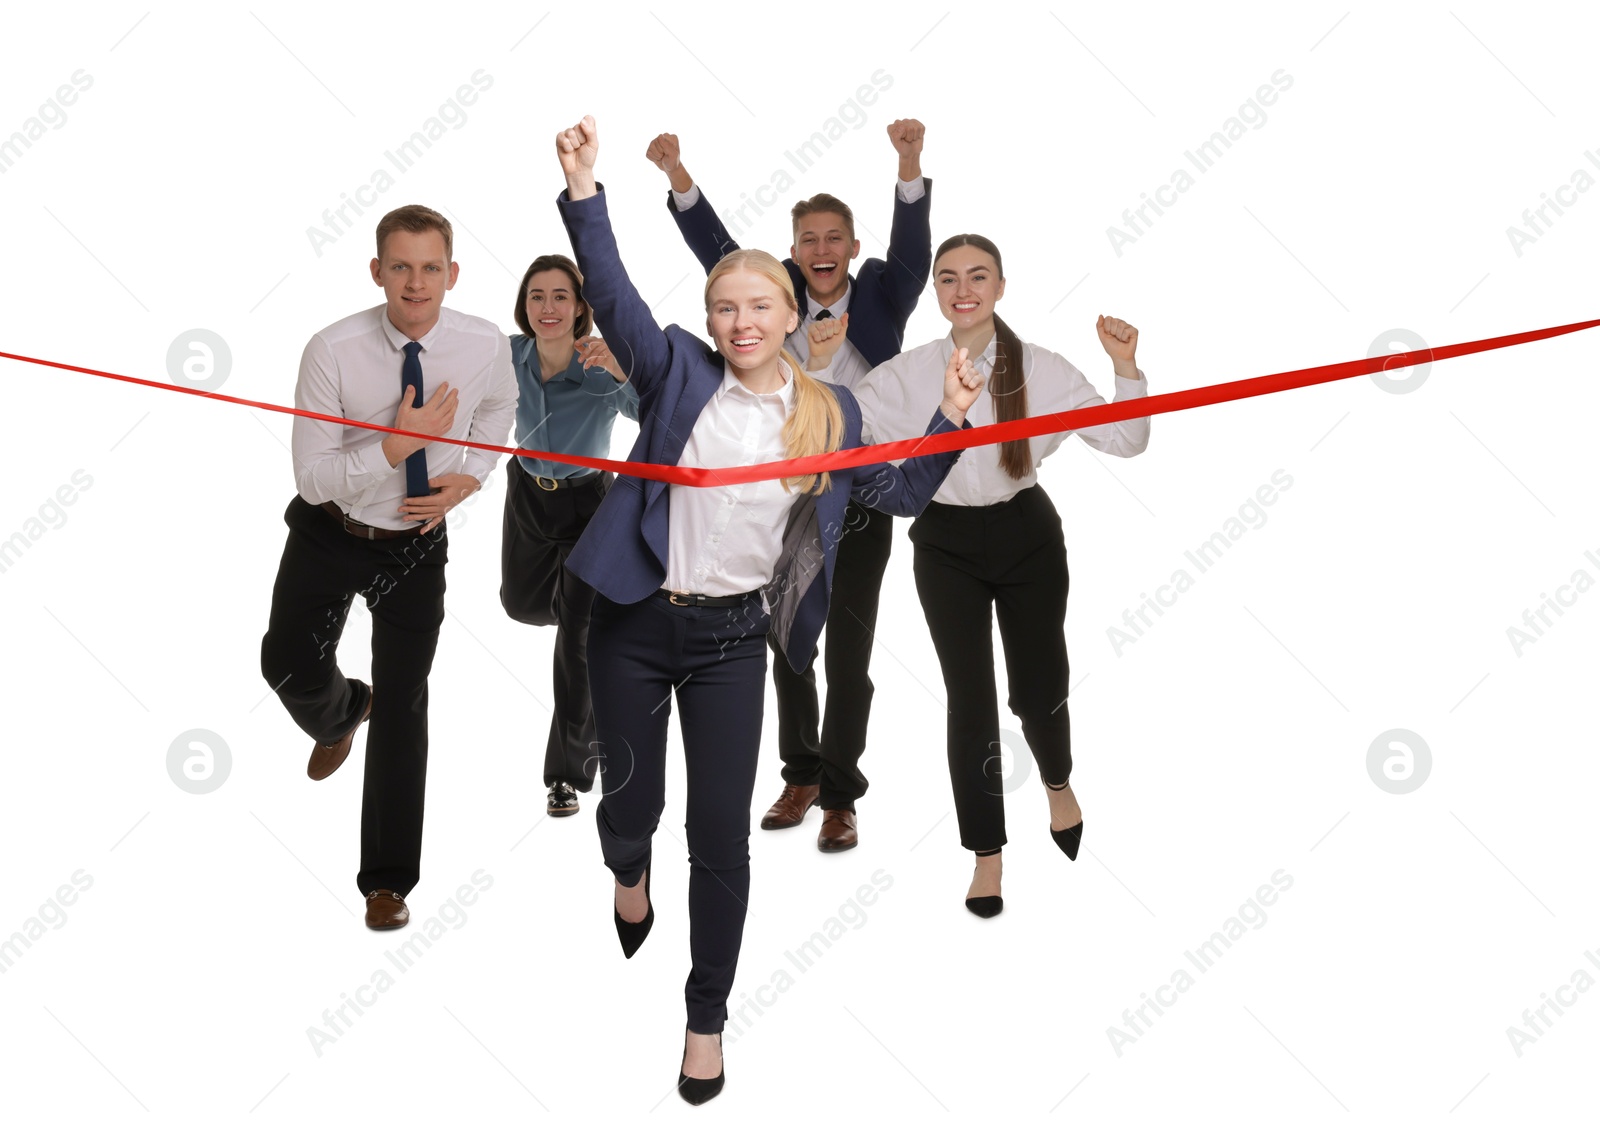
x=714 y=662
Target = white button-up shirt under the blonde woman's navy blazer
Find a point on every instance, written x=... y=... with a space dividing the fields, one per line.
x=727 y=540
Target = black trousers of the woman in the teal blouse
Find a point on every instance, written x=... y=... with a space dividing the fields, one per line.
x=538 y=534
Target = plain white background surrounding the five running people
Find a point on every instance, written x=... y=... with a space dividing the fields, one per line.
x=1228 y=743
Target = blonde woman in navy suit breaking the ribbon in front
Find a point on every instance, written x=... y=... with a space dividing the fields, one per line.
x=692 y=580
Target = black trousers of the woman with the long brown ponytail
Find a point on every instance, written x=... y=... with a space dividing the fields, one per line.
x=1010 y=561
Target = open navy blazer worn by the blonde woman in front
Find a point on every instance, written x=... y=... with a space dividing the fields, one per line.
x=623 y=553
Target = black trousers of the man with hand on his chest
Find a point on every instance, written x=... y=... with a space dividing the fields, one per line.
x=404 y=587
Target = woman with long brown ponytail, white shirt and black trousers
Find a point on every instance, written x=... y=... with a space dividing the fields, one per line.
x=990 y=546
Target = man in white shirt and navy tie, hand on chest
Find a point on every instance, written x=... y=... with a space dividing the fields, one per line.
x=370 y=519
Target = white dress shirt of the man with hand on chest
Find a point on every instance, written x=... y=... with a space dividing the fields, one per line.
x=353 y=370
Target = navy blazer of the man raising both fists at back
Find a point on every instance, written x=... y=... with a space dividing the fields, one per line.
x=884 y=294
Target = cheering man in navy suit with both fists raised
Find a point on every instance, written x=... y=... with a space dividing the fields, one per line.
x=874 y=305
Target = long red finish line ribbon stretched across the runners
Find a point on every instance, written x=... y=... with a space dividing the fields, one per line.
x=1071 y=420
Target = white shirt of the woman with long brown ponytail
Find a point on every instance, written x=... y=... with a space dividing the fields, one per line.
x=898 y=396
